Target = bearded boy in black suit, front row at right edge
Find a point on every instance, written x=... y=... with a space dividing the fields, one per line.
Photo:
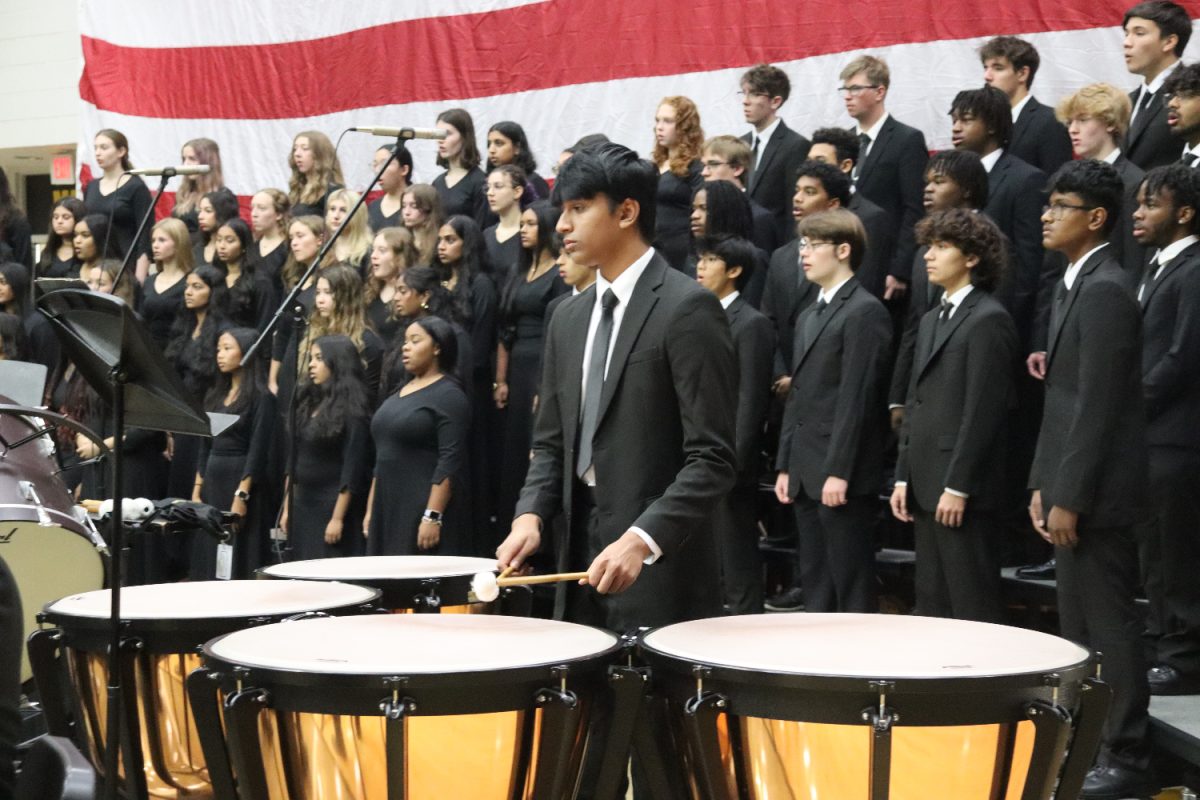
x=1167 y=219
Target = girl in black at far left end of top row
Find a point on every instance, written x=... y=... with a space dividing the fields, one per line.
x=122 y=199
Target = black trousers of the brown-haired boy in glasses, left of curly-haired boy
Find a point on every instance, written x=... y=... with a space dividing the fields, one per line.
x=837 y=555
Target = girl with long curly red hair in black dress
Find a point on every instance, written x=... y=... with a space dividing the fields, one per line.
x=679 y=141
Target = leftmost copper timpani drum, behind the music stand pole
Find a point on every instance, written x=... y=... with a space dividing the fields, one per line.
x=164 y=628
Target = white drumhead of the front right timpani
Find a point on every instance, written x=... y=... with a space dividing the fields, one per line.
x=866 y=646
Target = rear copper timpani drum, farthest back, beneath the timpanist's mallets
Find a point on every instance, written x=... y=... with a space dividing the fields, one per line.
x=412 y=584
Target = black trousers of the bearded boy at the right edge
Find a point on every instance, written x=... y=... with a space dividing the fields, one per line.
x=1171 y=556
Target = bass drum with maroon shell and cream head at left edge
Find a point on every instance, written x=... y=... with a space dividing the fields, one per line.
x=50 y=551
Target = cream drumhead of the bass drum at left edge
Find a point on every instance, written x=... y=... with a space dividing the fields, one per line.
x=47 y=563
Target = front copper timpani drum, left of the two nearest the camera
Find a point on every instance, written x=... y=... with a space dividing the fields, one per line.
x=404 y=707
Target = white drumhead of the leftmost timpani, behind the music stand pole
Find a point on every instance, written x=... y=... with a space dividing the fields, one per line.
x=214 y=600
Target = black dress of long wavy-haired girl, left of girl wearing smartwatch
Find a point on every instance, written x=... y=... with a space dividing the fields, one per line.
x=325 y=468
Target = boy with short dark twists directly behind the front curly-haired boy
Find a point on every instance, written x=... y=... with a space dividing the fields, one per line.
x=955 y=179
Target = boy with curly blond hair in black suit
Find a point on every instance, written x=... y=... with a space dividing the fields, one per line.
x=1097 y=118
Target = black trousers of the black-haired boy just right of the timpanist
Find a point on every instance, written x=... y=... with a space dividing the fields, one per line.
x=737 y=537
